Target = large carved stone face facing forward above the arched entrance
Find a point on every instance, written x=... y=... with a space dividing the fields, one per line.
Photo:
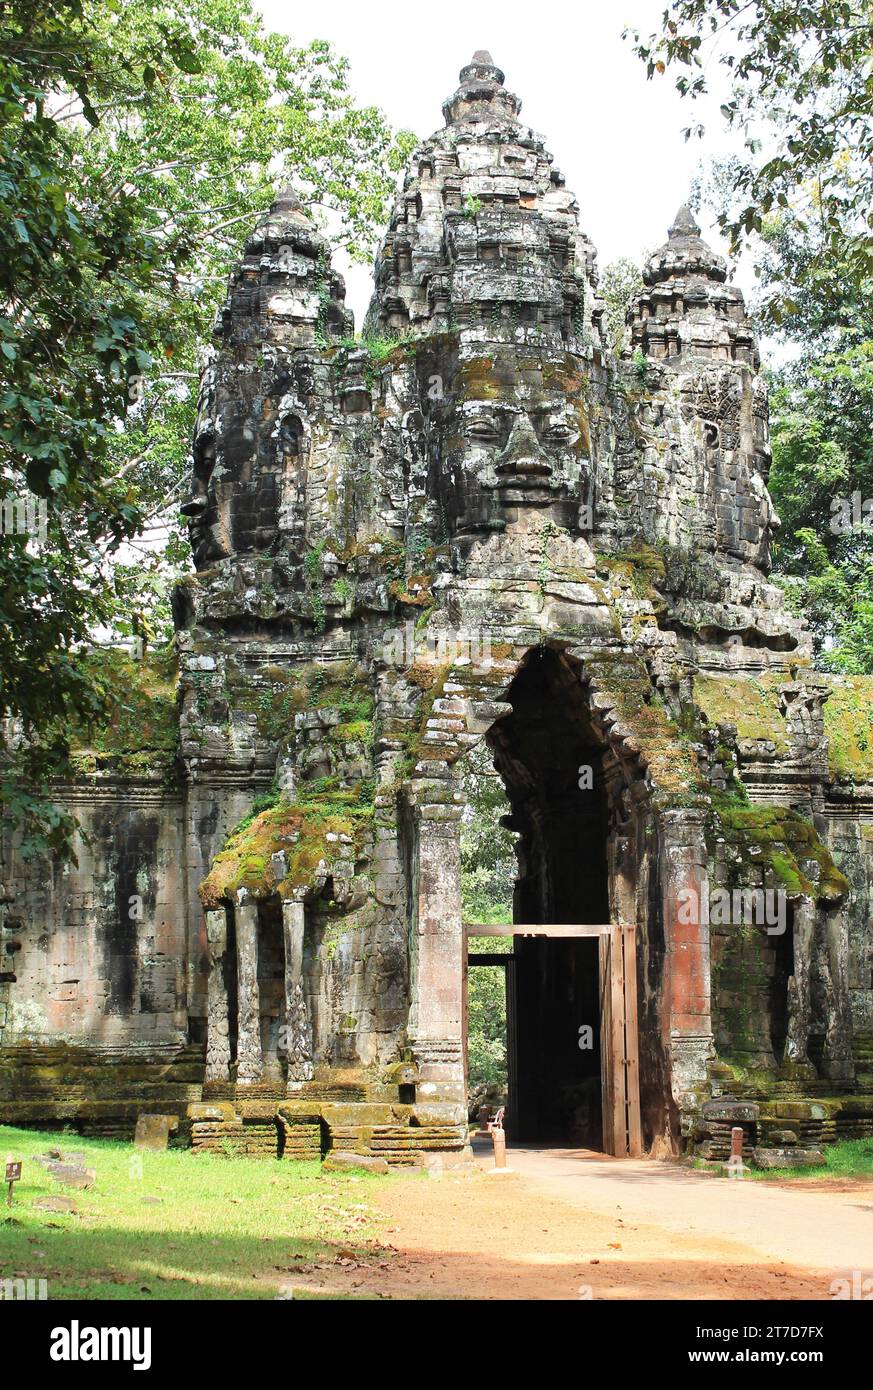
x=515 y=439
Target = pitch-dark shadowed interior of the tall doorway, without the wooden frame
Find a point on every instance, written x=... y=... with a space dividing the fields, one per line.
x=553 y=765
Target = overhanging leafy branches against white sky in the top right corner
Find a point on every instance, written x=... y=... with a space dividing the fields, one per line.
x=801 y=97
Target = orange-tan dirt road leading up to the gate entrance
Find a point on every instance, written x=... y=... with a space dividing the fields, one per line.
x=571 y=1225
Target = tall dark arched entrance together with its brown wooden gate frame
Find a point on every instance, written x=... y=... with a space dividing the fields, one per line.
x=572 y=972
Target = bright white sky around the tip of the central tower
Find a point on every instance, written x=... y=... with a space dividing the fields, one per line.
x=615 y=136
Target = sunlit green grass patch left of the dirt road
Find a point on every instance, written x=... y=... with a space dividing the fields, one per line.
x=225 y=1228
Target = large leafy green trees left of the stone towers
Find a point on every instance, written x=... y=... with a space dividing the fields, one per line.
x=137 y=145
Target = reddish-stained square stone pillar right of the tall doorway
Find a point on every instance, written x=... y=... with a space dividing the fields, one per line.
x=687 y=1021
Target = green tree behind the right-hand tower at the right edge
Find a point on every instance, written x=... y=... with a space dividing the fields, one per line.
x=822 y=476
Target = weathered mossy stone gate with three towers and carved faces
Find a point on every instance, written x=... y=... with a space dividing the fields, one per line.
x=265 y=935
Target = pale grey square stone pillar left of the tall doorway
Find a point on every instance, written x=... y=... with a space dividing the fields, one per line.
x=439 y=961
